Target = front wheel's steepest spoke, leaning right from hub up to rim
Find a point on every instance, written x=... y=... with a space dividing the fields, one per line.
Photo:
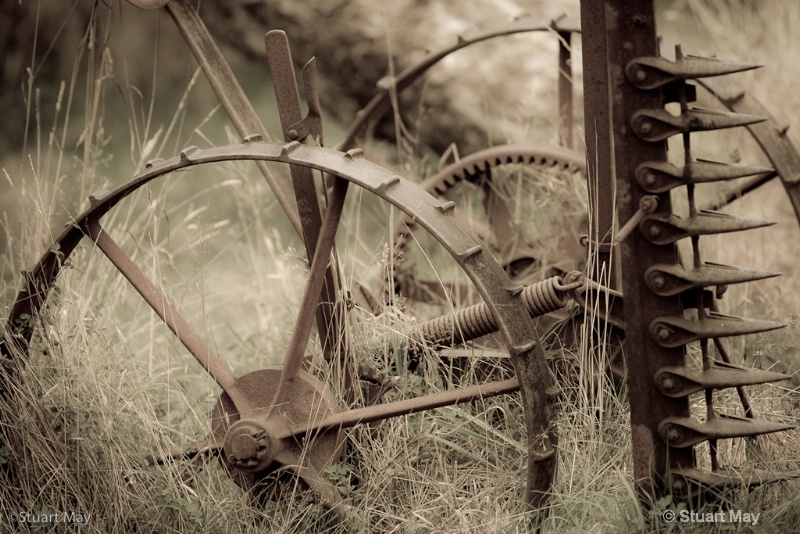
x=316 y=277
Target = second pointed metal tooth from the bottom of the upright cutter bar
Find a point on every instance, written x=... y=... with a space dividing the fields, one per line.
x=683 y=432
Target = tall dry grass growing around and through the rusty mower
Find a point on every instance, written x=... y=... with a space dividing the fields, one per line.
x=106 y=386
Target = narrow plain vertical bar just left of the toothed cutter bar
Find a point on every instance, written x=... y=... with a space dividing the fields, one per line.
x=598 y=139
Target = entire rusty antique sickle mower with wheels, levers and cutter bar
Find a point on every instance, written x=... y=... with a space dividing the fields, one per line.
x=250 y=422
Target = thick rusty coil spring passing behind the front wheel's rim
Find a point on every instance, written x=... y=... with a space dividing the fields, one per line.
x=475 y=321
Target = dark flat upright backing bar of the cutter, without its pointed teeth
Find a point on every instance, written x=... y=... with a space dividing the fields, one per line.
x=630 y=30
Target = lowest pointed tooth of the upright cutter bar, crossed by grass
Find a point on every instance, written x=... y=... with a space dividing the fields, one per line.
x=690 y=481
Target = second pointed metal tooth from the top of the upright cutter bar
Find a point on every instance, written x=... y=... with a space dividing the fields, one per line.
x=658 y=124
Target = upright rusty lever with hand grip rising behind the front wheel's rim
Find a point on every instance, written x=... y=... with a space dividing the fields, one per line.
x=294 y=126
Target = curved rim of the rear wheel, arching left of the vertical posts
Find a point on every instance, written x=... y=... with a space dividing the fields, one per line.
x=380 y=104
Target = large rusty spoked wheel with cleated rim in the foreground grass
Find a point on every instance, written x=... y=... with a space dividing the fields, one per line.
x=269 y=425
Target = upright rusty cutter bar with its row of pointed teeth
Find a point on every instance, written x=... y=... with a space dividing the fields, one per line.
x=657 y=376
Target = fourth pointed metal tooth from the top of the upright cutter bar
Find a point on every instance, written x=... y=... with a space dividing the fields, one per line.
x=666 y=228
